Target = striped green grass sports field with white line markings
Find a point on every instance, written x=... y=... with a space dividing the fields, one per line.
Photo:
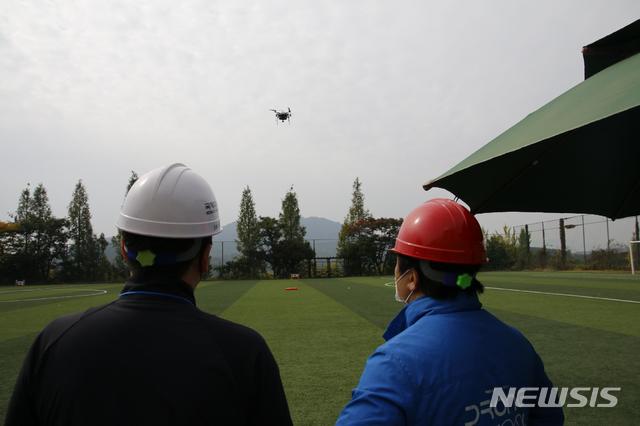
x=322 y=334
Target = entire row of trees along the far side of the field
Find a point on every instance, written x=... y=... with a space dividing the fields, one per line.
x=45 y=248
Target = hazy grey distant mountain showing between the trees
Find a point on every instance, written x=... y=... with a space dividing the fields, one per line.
x=323 y=231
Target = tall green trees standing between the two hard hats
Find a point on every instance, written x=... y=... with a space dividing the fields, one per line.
x=276 y=246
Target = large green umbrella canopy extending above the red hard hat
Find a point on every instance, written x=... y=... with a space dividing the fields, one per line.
x=580 y=153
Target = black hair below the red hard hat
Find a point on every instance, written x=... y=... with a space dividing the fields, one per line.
x=435 y=289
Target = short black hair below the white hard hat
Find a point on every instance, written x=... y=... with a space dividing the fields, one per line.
x=165 y=246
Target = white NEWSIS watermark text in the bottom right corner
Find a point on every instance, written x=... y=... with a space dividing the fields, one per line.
x=554 y=397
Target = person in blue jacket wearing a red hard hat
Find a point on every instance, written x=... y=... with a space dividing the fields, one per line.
x=444 y=355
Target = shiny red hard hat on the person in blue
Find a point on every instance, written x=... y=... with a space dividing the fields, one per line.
x=441 y=230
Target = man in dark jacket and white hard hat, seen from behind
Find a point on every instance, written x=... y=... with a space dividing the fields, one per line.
x=152 y=357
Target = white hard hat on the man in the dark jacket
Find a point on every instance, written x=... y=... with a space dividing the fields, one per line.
x=170 y=202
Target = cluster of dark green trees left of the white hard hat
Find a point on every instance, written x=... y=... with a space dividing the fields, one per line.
x=45 y=248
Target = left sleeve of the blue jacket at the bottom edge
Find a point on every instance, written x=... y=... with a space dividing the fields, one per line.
x=383 y=395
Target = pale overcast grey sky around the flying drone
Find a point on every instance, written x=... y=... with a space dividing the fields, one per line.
x=394 y=92
